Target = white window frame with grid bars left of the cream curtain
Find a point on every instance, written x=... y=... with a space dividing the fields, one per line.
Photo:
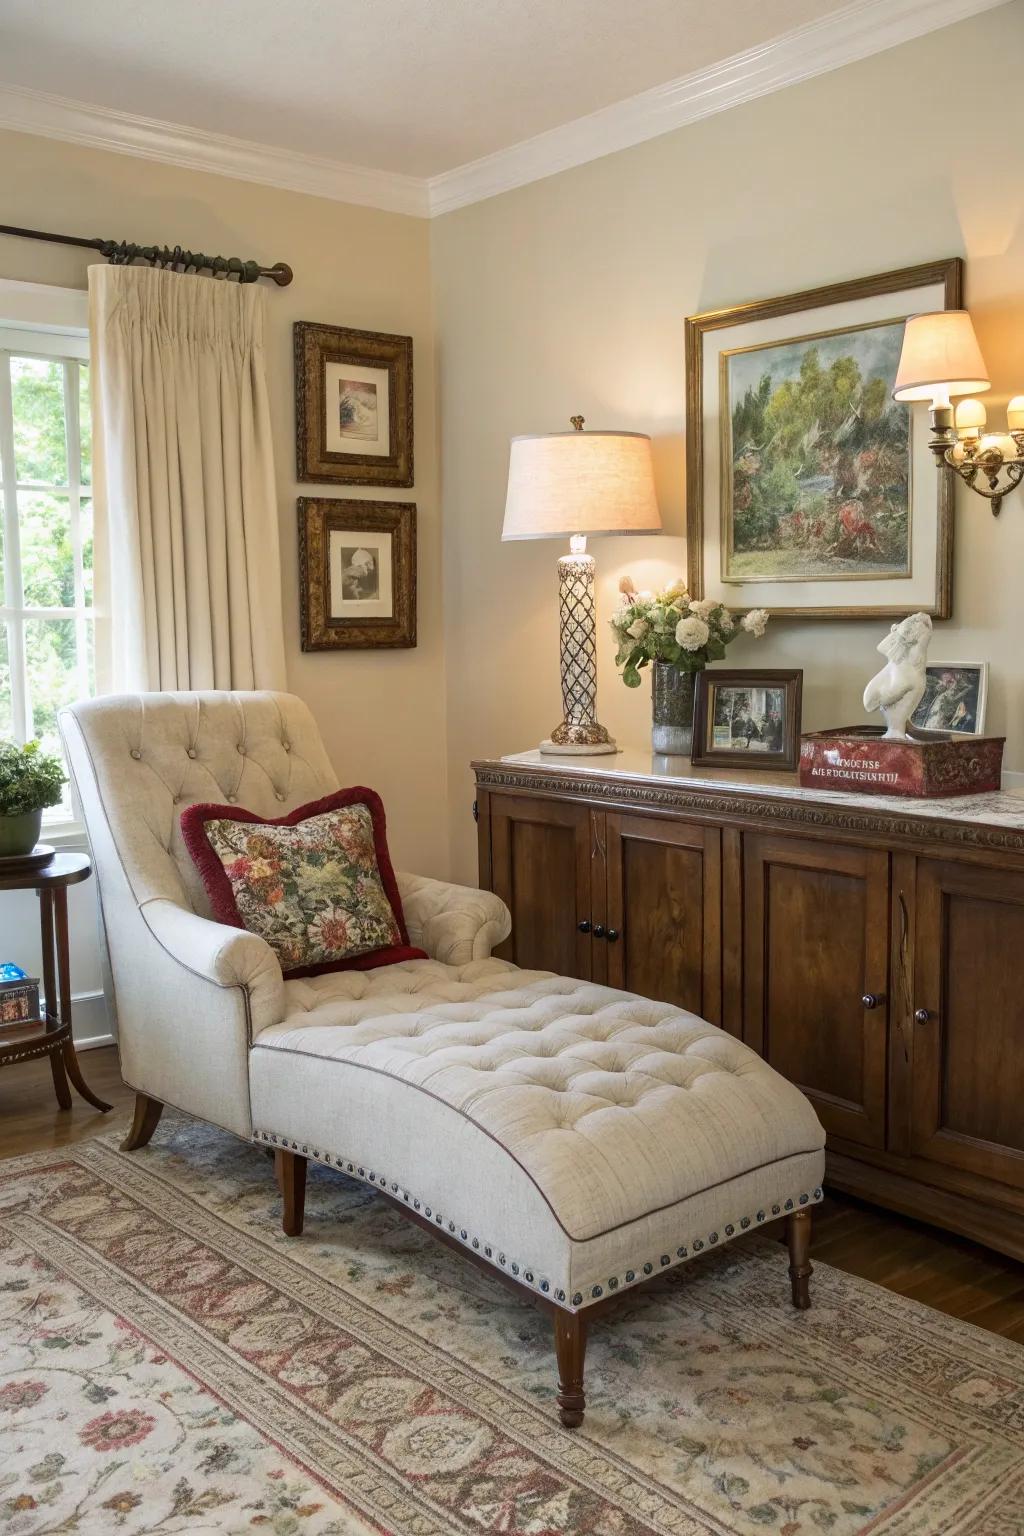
x=44 y=322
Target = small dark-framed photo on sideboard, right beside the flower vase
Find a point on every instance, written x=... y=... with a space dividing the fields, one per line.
x=747 y=718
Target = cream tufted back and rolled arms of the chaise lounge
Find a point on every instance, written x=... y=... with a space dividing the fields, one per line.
x=188 y=991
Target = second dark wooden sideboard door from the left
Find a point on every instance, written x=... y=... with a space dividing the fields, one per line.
x=666 y=904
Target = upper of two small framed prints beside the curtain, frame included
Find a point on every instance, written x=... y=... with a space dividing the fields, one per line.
x=354 y=406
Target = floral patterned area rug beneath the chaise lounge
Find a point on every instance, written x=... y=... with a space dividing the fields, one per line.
x=170 y=1363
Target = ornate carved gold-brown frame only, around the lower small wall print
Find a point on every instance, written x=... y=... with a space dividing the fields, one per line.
x=319 y=518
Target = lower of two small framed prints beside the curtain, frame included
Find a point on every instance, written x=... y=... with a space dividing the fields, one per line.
x=357 y=575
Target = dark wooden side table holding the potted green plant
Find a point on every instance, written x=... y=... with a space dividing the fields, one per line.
x=51 y=1036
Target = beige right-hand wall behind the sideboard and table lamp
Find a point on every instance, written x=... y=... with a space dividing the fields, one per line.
x=570 y=296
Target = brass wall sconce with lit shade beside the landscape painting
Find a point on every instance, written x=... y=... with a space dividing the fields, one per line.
x=942 y=359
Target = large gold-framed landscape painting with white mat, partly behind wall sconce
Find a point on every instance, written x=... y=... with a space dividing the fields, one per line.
x=810 y=491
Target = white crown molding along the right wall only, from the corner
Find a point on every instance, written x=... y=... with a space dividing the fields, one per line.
x=857 y=31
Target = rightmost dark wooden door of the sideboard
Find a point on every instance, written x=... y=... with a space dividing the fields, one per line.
x=969 y=1021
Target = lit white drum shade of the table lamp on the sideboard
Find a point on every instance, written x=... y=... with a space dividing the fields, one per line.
x=570 y=483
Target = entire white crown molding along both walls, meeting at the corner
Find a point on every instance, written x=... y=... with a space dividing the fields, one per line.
x=860 y=30
